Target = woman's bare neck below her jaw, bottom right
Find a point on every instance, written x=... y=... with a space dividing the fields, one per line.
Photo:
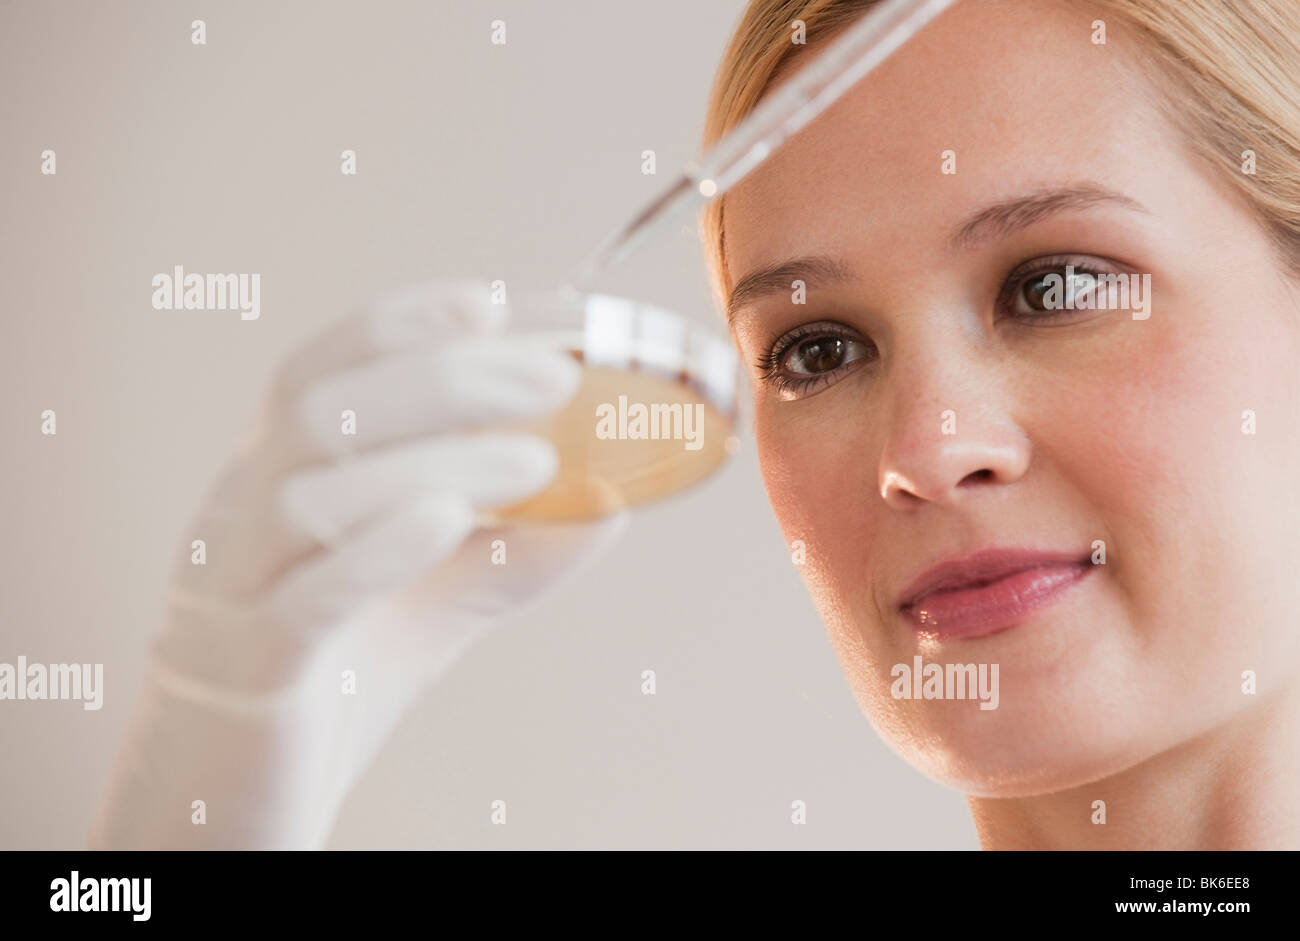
x=1229 y=790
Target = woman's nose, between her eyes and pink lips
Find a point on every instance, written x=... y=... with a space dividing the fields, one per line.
x=951 y=437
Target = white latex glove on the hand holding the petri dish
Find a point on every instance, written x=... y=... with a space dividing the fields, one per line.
x=331 y=553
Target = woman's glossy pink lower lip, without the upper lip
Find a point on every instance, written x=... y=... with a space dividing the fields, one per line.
x=996 y=606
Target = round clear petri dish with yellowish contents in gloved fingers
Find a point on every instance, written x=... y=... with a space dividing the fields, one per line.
x=656 y=413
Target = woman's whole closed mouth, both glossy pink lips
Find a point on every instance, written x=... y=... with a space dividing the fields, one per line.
x=990 y=591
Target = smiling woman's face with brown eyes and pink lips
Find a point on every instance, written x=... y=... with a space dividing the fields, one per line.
x=928 y=401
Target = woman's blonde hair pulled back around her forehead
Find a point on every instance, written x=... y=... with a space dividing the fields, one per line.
x=1229 y=71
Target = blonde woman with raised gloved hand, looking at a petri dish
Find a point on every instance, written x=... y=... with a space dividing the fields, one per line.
x=1080 y=504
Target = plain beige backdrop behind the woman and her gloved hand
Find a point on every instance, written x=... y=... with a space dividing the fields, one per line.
x=474 y=161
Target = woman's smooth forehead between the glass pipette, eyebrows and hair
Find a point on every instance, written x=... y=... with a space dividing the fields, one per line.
x=1017 y=92
